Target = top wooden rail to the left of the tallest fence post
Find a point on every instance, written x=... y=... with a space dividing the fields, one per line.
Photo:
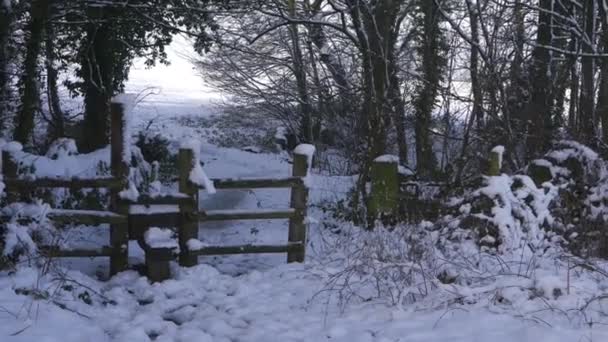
x=72 y=183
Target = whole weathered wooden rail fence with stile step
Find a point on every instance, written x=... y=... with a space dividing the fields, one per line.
x=126 y=225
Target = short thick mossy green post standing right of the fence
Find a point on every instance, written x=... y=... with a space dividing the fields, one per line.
x=383 y=201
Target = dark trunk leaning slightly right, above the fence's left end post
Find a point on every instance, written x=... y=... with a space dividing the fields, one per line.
x=30 y=96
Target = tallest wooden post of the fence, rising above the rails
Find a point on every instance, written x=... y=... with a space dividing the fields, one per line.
x=119 y=233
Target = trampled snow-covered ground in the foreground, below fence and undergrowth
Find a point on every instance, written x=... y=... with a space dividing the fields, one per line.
x=279 y=304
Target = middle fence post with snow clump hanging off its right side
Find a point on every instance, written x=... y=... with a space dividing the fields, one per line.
x=188 y=227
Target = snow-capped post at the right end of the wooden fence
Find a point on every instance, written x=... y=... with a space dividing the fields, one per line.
x=302 y=162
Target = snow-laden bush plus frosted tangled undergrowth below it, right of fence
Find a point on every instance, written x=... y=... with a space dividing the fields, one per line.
x=513 y=241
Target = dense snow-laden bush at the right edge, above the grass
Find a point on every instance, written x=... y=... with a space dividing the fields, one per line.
x=551 y=205
